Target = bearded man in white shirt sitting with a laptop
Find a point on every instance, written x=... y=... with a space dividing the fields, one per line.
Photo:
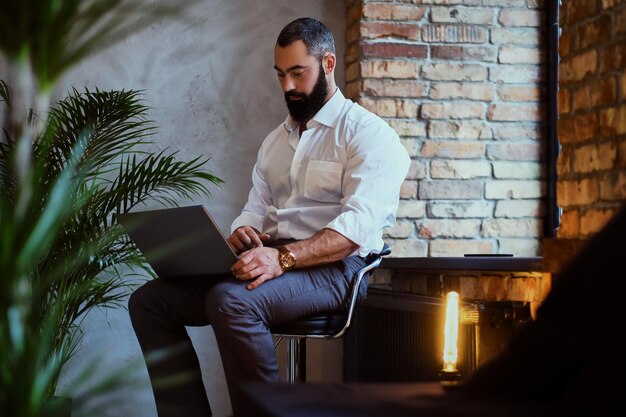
x=326 y=184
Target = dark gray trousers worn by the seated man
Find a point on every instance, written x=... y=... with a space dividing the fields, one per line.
x=161 y=308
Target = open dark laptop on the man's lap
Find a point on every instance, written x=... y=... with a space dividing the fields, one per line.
x=180 y=241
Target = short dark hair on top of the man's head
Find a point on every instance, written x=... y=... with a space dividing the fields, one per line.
x=316 y=36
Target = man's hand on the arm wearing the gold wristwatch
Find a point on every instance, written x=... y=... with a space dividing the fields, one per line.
x=260 y=264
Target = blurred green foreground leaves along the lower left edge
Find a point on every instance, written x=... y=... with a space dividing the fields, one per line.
x=29 y=364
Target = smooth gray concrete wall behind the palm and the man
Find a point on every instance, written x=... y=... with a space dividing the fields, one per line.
x=214 y=91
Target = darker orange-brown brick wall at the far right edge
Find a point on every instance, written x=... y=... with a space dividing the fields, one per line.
x=592 y=114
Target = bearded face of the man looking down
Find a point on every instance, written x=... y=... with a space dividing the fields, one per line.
x=302 y=79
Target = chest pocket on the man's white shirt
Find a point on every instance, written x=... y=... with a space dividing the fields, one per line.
x=323 y=181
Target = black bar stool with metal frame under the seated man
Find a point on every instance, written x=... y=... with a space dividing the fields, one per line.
x=331 y=325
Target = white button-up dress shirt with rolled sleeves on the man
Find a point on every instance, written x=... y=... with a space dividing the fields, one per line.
x=343 y=173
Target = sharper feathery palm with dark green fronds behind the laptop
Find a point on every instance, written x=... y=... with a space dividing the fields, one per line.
x=102 y=138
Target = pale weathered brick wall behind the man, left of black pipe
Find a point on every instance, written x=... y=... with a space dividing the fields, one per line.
x=461 y=81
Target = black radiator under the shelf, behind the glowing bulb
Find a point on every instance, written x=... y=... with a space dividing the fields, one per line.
x=398 y=337
